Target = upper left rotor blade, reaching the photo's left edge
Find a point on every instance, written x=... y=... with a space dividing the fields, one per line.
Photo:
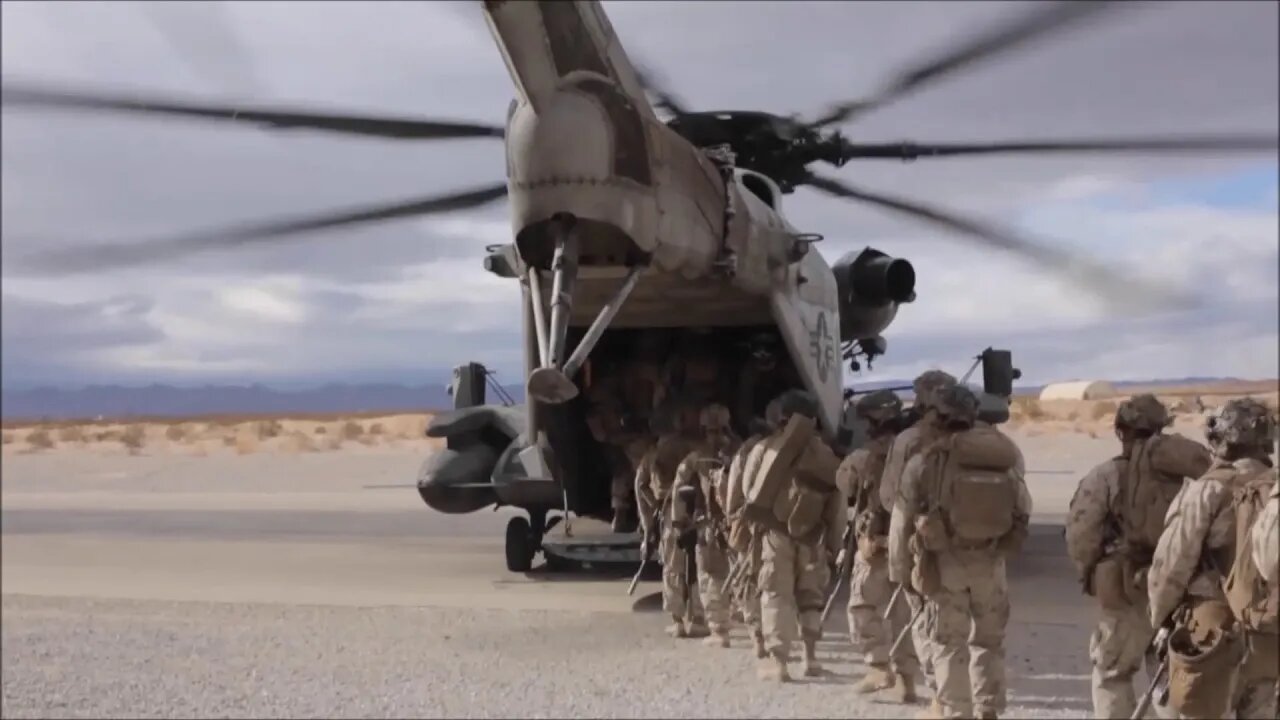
x=404 y=129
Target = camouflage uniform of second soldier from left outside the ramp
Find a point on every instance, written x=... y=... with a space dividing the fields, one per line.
x=702 y=473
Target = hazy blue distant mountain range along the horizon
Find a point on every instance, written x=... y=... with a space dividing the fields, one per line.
x=159 y=400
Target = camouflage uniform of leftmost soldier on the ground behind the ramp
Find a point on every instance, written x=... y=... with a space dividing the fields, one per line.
x=655 y=479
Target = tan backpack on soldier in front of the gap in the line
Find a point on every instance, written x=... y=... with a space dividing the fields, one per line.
x=977 y=493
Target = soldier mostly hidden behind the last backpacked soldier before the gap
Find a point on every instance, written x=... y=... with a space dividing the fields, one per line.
x=906 y=446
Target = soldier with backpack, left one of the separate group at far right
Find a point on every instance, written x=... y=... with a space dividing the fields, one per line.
x=1113 y=526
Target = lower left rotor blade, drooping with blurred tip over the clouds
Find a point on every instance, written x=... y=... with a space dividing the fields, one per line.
x=93 y=258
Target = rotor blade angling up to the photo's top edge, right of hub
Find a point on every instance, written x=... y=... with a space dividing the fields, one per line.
x=1039 y=24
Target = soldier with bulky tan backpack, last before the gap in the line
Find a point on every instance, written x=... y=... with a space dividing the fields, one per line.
x=963 y=508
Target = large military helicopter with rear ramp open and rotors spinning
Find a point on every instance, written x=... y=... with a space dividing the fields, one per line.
x=641 y=239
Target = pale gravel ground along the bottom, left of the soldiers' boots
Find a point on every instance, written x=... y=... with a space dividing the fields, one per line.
x=112 y=659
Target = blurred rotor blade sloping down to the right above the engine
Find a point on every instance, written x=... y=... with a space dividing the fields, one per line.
x=1127 y=291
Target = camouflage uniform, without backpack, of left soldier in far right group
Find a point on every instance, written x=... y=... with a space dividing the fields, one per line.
x=1095 y=523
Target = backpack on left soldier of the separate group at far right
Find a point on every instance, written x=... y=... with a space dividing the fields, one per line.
x=1151 y=480
